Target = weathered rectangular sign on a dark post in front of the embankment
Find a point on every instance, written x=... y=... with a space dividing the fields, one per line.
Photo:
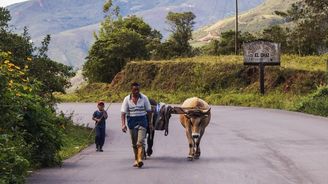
x=261 y=53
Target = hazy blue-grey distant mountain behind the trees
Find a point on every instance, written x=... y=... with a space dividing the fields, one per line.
x=72 y=22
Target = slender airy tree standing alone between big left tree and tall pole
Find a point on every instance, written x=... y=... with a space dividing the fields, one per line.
x=181 y=27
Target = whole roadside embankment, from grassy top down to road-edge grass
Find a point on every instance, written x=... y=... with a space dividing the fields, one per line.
x=299 y=84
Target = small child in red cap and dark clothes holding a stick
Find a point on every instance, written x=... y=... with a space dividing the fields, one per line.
x=100 y=117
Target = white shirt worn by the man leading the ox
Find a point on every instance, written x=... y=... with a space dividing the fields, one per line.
x=133 y=110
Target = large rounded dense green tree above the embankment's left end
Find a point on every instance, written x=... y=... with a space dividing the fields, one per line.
x=107 y=57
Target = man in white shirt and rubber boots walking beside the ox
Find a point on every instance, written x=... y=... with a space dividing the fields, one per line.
x=137 y=110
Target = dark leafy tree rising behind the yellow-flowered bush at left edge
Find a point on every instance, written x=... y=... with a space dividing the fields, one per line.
x=52 y=75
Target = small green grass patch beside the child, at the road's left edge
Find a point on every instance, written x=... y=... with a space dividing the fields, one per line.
x=75 y=139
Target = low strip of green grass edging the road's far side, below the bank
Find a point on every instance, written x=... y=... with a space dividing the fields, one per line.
x=273 y=99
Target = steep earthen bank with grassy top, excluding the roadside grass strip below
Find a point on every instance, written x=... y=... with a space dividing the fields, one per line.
x=214 y=74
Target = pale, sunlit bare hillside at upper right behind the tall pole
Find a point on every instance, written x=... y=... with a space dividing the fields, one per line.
x=253 y=20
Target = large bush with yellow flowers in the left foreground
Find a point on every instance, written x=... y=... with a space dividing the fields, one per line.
x=30 y=130
